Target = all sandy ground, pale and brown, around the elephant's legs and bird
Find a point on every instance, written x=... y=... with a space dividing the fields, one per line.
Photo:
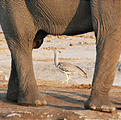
x=65 y=101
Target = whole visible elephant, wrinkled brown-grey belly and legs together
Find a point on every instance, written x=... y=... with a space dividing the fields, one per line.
x=26 y=22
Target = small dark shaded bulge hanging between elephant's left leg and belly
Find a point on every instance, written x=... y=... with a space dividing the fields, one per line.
x=38 y=40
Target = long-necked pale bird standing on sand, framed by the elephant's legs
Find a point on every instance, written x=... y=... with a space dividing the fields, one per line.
x=67 y=68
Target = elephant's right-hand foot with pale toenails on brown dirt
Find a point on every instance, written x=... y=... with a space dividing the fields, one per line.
x=99 y=104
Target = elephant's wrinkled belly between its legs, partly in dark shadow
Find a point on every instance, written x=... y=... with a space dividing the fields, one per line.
x=62 y=16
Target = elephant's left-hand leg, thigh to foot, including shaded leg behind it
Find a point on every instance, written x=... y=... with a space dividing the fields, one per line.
x=19 y=30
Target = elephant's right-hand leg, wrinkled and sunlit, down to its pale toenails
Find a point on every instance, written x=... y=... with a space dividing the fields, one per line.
x=108 y=47
